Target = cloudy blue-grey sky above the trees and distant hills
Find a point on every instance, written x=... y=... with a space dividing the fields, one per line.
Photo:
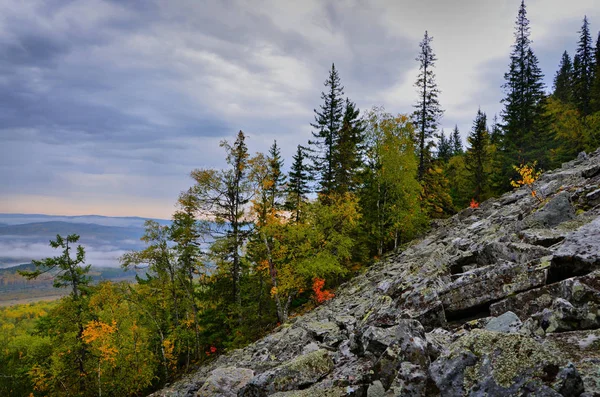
x=106 y=106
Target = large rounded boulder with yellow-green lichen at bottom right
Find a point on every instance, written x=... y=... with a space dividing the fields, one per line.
x=501 y=364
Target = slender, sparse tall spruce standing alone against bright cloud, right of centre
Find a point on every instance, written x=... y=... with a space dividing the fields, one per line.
x=427 y=109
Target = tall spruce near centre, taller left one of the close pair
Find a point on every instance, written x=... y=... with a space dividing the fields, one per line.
x=328 y=121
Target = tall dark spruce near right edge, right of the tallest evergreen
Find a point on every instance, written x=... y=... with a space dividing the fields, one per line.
x=584 y=70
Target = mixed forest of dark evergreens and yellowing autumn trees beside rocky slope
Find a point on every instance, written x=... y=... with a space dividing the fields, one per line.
x=253 y=245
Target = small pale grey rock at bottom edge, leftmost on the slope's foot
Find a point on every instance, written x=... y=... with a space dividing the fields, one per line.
x=225 y=382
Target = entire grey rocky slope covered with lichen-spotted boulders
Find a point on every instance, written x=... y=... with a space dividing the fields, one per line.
x=495 y=301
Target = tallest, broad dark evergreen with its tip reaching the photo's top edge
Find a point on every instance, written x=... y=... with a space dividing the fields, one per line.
x=524 y=102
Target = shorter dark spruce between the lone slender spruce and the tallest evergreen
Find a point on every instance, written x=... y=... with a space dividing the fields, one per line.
x=477 y=156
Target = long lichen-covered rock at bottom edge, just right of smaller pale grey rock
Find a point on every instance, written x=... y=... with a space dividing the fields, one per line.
x=298 y=373
